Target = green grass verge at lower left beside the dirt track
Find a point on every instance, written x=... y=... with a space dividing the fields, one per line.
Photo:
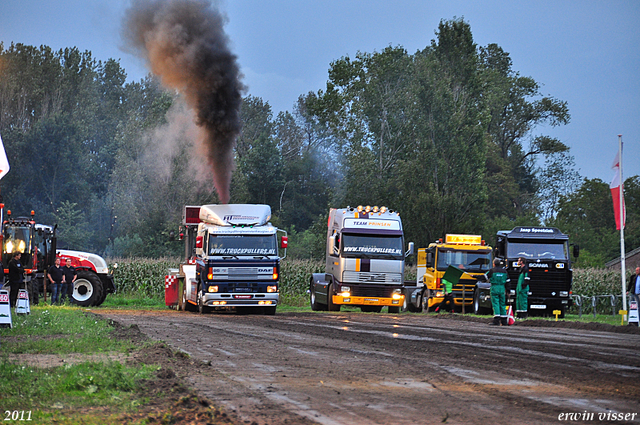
x=69 y=392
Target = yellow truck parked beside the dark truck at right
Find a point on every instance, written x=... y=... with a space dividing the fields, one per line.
x=469 y=253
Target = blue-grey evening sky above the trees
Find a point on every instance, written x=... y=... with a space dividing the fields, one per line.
x=584 y=52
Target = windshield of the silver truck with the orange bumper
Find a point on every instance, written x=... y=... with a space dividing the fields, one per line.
x=372 y=246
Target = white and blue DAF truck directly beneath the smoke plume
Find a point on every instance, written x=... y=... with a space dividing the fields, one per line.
x=232 y=259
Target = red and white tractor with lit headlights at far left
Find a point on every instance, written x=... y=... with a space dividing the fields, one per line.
x=37 y=244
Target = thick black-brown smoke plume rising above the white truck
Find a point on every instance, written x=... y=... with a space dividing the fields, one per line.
x=184 y=44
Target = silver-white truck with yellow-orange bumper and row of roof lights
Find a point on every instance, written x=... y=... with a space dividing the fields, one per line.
x=364 y=261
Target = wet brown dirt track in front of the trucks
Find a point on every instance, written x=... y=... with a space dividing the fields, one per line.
x=354 y=368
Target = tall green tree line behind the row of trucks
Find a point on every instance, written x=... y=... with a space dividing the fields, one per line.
x=448 y=136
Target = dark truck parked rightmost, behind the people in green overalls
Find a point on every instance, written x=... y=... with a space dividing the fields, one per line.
x=546 y=250
